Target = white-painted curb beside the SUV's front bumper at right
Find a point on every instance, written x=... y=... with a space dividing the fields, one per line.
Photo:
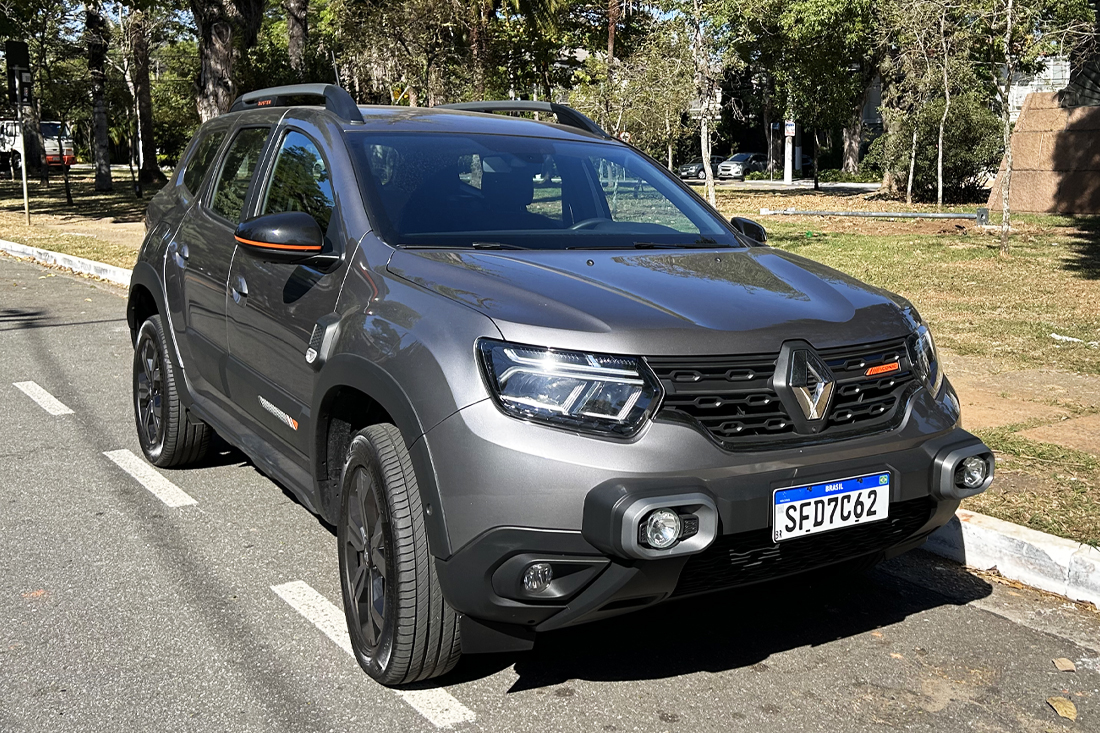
x=1031 y=557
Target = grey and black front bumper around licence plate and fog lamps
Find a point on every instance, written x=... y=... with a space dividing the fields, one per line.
x=526 y=494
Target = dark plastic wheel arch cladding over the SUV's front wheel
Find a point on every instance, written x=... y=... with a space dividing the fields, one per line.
x=354 y=393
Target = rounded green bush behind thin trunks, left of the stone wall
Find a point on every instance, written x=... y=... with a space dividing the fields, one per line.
x=973 y=149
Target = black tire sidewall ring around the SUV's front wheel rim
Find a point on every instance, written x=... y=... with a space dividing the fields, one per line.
x=362 y=456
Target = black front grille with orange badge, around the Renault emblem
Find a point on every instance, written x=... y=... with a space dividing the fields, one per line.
x=733 y=400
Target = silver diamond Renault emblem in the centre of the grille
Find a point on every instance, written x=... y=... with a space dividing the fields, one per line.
x=806 y=386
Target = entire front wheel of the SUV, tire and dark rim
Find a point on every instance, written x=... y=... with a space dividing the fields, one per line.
x=402 y=629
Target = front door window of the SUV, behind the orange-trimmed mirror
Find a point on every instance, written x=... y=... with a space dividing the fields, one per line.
x=301 y=181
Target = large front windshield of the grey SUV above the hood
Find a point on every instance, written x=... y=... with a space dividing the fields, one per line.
x=486 y=191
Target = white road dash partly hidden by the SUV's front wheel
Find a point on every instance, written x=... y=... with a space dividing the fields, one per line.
x=439 y=707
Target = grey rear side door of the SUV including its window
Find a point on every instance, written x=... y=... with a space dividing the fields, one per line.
x=204 y=251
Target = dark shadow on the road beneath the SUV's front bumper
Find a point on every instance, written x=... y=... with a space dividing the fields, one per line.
x=732 y=630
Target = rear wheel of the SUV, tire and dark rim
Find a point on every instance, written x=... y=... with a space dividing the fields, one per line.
x=168 y=433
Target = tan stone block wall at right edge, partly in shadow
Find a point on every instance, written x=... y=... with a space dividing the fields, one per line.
x=1055 y=159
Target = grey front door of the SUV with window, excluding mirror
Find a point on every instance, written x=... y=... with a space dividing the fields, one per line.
x=273 y=308
